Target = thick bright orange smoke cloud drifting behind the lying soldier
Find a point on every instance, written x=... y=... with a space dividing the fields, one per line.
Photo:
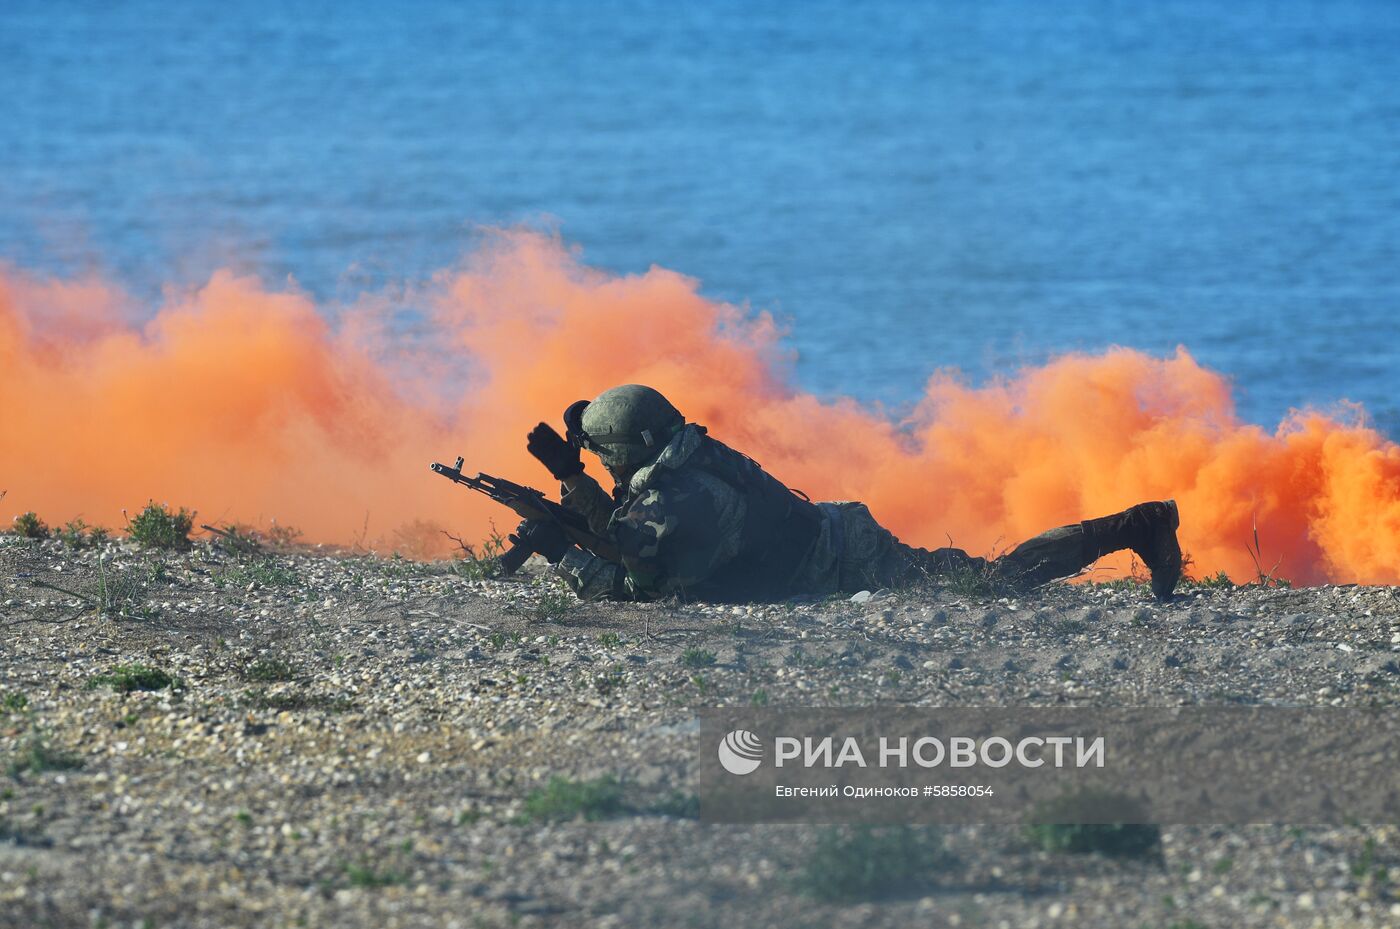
x=254 y=406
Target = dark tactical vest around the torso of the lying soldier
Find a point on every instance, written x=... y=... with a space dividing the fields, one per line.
x=779 y=528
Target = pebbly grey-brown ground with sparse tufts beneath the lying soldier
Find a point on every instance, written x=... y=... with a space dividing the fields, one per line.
x=363 y=742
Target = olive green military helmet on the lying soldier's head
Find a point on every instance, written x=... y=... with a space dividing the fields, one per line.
x=628 y=426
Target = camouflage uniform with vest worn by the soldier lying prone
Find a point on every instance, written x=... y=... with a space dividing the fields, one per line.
x=703 y=521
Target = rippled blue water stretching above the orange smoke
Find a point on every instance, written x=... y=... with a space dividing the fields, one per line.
x=911 y=187
